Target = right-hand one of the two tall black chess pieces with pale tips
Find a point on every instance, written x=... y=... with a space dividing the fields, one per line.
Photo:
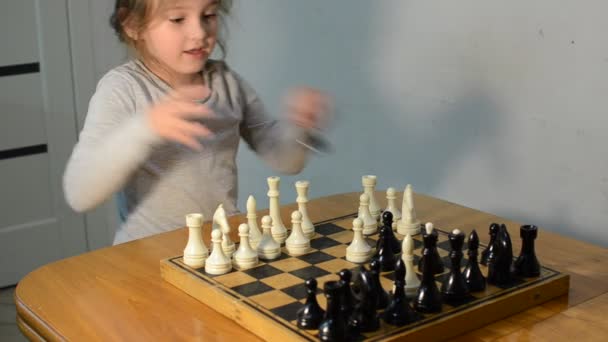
x=455 y=288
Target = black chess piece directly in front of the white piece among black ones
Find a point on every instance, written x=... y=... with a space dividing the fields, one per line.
x=399 y=312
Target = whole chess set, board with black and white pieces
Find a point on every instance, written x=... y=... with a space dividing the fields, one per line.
x=371 y=275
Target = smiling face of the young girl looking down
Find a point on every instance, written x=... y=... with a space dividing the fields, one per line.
x=180 y=38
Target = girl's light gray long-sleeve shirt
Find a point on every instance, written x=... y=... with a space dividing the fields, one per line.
x=158 y=182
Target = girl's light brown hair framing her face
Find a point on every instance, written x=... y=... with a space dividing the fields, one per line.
x=139 y=12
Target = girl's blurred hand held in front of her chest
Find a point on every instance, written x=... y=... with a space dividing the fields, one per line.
x=172 y=117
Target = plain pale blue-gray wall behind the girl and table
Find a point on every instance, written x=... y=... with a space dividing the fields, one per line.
x=495 y=105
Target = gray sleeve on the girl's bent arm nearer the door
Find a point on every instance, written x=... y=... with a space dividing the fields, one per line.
x=113 y=143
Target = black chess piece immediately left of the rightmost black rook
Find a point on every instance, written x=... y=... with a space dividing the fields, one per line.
x=499 y=263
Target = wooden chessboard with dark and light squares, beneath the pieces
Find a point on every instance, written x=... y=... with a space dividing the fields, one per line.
x=265 y=299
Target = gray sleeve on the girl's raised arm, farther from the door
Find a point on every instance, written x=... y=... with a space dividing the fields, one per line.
x=278 y=142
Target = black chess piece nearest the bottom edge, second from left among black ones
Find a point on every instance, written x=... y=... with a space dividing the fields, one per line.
x=333 y=326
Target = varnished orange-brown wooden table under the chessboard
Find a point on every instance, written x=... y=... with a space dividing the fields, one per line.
x=116 y=293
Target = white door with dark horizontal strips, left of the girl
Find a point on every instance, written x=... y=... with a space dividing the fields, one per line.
x=37 y=133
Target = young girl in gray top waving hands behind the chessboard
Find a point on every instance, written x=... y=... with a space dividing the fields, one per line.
x=163 y=129
